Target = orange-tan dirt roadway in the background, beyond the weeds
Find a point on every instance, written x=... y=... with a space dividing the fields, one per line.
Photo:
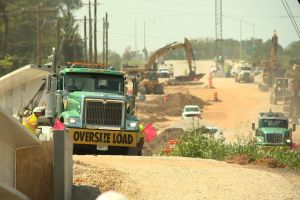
x=239 y=103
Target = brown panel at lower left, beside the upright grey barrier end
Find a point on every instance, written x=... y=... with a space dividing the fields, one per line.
x=34 y=171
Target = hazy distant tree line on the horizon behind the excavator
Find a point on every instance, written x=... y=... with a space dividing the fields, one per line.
x=251 y=51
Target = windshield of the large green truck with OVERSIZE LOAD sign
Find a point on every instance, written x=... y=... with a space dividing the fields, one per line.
x=94 y=83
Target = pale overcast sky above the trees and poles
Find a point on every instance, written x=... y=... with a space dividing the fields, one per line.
x=172 y=20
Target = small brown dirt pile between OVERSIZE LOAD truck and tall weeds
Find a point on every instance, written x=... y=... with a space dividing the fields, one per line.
x=161 y=141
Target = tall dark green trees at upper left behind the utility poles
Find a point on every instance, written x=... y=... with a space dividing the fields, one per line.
x=19 y=22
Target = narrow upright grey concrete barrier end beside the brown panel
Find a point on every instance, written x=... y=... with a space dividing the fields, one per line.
x=63 y=166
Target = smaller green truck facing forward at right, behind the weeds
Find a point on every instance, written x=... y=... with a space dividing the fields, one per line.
x=273 y=130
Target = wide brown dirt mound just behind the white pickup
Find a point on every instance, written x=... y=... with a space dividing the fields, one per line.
x=173 y=106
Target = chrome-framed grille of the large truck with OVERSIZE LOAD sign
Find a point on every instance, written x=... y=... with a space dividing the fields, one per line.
x=99 y=112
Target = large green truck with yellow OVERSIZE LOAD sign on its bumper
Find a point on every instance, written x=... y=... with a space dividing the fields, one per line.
x=91 y=102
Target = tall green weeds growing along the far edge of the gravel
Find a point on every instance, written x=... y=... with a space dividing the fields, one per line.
x=196 y=143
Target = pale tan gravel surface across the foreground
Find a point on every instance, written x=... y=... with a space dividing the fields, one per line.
x=188 y=178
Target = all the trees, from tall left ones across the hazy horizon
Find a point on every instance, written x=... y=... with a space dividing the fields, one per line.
x=19 y=33
